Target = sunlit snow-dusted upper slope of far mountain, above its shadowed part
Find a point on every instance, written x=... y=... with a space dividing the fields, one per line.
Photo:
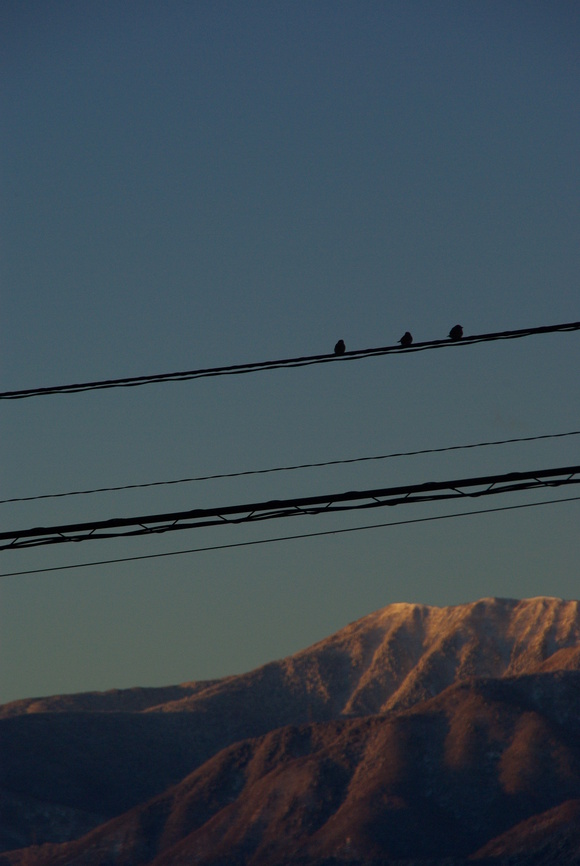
x=387 y=660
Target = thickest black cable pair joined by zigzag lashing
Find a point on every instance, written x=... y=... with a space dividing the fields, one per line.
x=430 y=491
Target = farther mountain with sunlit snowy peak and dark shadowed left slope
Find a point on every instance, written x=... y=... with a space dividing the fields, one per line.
x=71 y=762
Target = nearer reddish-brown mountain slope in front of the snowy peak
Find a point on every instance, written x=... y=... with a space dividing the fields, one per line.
x=465 y=773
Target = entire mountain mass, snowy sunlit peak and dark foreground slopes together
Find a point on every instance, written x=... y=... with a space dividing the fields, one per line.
x=416 y=732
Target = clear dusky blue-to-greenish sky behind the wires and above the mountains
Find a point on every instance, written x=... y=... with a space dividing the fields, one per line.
x=188 y=185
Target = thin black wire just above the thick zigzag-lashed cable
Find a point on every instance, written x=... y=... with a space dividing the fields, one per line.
x=289 y=468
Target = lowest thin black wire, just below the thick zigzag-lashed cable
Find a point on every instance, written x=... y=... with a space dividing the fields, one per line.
x=288 y=537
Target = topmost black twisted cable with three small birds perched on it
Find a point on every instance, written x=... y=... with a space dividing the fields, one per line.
x=308 y=360
